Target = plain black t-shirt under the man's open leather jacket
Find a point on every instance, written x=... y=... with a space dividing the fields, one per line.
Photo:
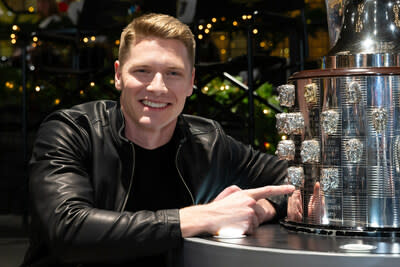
x=156 y=185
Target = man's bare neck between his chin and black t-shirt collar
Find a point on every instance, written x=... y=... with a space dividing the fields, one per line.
x=149 y=138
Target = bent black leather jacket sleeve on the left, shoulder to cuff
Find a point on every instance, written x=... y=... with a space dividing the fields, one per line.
x=63 y=206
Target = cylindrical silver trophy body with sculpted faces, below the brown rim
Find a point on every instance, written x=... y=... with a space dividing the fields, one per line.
x=348 y=150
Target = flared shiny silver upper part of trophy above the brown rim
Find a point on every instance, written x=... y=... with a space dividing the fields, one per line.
x=368 y=36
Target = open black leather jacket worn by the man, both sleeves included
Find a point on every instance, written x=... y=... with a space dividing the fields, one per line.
x=81 y=172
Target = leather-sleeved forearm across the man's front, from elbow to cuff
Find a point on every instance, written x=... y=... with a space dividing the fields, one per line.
x=107 y=236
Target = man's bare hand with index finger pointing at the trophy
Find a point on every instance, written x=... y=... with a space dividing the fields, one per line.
x=240 y=209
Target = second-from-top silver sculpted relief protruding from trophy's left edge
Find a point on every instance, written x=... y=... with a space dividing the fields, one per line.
x=290 y=123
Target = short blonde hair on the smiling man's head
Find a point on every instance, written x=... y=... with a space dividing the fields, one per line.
x=156 y=25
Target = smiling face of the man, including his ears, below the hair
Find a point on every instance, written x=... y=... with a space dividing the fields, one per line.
x=155 y=80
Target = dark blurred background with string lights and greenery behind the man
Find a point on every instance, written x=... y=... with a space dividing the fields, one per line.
x=57 y=53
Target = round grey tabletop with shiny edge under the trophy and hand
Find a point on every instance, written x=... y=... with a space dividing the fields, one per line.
x=278 y=246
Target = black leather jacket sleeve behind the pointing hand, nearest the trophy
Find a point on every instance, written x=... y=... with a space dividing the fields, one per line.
x=250 y=168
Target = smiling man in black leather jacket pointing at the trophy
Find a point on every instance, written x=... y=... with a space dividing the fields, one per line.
x=122 y=183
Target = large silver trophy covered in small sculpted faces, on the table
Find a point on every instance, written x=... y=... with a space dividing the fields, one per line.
x=343 y=126
